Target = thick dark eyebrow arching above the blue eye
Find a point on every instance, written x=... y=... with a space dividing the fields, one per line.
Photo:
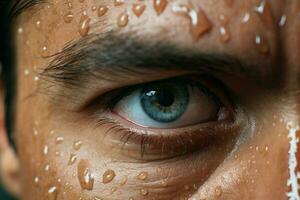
x=114 y=56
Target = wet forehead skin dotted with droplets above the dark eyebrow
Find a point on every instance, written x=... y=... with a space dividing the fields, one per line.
x=242 y=28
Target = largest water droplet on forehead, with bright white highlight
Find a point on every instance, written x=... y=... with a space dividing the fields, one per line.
x=199 y=22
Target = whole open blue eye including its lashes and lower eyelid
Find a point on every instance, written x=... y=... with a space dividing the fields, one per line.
x=166 y=119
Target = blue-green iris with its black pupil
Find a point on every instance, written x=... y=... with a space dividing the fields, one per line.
x=165 y=102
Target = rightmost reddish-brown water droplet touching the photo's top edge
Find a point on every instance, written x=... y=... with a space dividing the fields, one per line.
x=264 y=11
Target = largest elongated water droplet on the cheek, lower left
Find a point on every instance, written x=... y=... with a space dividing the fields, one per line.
x=85 y=176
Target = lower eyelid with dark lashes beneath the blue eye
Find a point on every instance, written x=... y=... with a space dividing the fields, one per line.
x=154 y=144
